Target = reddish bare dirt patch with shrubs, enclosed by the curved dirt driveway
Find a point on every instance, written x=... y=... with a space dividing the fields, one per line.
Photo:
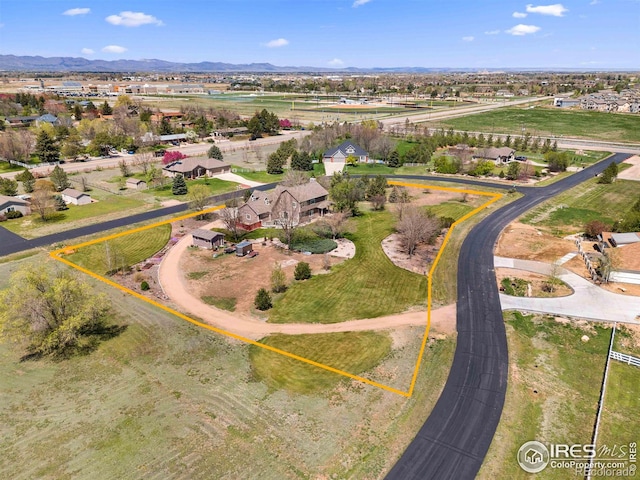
x=229 y=276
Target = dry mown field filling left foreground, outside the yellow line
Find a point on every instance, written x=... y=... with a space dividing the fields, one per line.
x=168 y=400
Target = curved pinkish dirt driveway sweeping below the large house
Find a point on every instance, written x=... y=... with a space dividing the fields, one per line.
x=175 y=286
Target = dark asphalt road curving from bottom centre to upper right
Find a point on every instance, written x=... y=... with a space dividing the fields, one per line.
x=454 y=440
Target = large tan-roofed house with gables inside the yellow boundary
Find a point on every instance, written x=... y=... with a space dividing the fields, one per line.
x=293 y=205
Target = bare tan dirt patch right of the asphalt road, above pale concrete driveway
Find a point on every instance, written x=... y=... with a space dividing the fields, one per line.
x=528 y=243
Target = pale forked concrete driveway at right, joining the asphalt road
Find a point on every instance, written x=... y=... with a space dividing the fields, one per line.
x=588 y=300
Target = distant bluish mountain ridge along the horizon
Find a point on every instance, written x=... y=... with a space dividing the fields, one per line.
x=15 y=63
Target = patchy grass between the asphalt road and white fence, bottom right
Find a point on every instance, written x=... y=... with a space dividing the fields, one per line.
x=553 y=390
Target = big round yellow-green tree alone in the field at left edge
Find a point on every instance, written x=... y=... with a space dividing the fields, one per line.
x=51 y=312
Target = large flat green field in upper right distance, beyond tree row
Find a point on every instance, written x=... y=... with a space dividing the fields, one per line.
x=552 y=121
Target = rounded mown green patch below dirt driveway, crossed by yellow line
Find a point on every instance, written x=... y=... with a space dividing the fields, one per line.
x=352 y=352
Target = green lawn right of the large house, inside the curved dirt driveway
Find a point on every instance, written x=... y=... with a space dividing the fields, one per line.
x=367 y=286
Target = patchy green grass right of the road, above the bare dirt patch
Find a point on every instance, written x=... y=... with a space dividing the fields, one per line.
x=568 y=212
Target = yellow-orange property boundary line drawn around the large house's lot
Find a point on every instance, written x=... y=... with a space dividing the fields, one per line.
x=58 y=255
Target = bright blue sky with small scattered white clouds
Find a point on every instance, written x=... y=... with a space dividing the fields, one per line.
x=589 y=34
